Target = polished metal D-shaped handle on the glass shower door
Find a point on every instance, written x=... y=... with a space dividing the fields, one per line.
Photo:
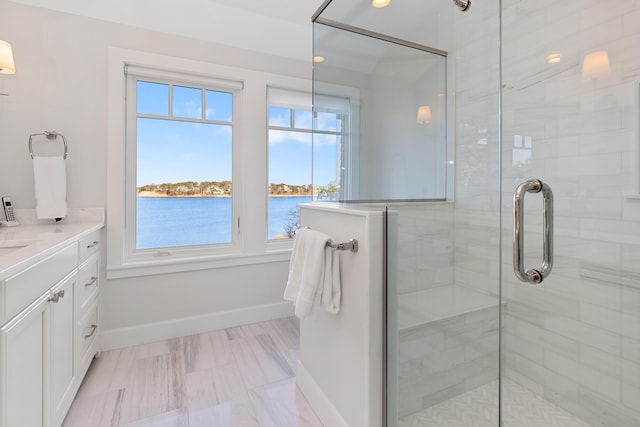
x=532 y=276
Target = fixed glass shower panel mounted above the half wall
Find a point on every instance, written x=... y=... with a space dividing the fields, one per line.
x=396 y=145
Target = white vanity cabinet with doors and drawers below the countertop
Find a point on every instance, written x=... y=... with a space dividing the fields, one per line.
x=47 y=342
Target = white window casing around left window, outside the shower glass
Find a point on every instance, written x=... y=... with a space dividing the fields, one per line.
x=249 y=168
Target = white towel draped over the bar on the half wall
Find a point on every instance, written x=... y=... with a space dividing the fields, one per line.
x=314 y=274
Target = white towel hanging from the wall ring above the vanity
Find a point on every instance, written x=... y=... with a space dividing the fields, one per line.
x=50 y=179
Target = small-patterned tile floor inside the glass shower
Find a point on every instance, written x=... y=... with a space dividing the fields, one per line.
x=478 y=408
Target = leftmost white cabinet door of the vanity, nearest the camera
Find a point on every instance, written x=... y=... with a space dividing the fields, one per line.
x=22 y=367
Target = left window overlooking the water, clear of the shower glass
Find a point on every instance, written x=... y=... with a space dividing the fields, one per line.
x=182 y=136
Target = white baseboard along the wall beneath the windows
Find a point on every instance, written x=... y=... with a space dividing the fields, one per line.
x=152 y=332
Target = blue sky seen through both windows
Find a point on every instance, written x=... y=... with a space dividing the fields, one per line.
x=175 y=151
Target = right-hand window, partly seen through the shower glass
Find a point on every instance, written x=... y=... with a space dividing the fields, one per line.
x=302 y=140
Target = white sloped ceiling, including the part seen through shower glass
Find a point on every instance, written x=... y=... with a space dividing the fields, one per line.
x=277 y=27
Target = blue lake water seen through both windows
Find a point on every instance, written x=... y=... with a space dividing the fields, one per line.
x=181 y=221
